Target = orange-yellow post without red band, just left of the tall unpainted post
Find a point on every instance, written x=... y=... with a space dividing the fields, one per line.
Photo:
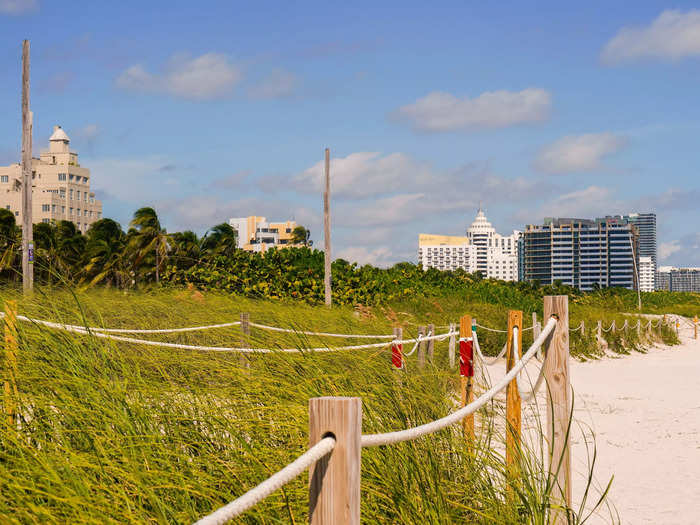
x=513 y=408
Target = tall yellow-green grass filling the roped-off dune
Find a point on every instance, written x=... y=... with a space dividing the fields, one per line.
x=111 y=432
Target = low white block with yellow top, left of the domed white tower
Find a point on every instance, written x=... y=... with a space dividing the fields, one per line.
x=446 y=252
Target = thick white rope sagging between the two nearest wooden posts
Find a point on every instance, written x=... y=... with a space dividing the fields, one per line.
x=373 y=440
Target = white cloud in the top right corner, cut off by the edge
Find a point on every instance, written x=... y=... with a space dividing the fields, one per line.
x=673 y=35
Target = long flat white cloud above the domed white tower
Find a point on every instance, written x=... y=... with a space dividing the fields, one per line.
x=440 y=111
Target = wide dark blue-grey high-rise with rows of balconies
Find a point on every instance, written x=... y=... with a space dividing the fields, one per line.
x=580 y=252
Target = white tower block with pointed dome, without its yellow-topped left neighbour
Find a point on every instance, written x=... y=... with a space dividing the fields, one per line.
x=497 y=255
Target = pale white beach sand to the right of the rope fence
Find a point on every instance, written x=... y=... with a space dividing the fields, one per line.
x=645 y=412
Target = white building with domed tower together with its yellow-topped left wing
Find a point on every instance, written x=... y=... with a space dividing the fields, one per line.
x=482 y=249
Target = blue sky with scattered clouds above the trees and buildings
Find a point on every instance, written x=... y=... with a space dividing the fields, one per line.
x=211 y=110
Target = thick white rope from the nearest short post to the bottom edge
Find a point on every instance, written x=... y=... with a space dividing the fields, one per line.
x=270 y=485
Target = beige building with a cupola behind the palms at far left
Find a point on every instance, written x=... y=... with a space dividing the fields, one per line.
x=60 y=186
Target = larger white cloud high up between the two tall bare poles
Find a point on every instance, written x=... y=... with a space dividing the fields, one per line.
x=205 y=77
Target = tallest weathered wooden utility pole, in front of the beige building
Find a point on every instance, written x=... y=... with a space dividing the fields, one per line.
x=27 y=236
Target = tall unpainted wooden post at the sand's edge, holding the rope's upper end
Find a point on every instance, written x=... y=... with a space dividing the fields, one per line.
x=556 y=370
